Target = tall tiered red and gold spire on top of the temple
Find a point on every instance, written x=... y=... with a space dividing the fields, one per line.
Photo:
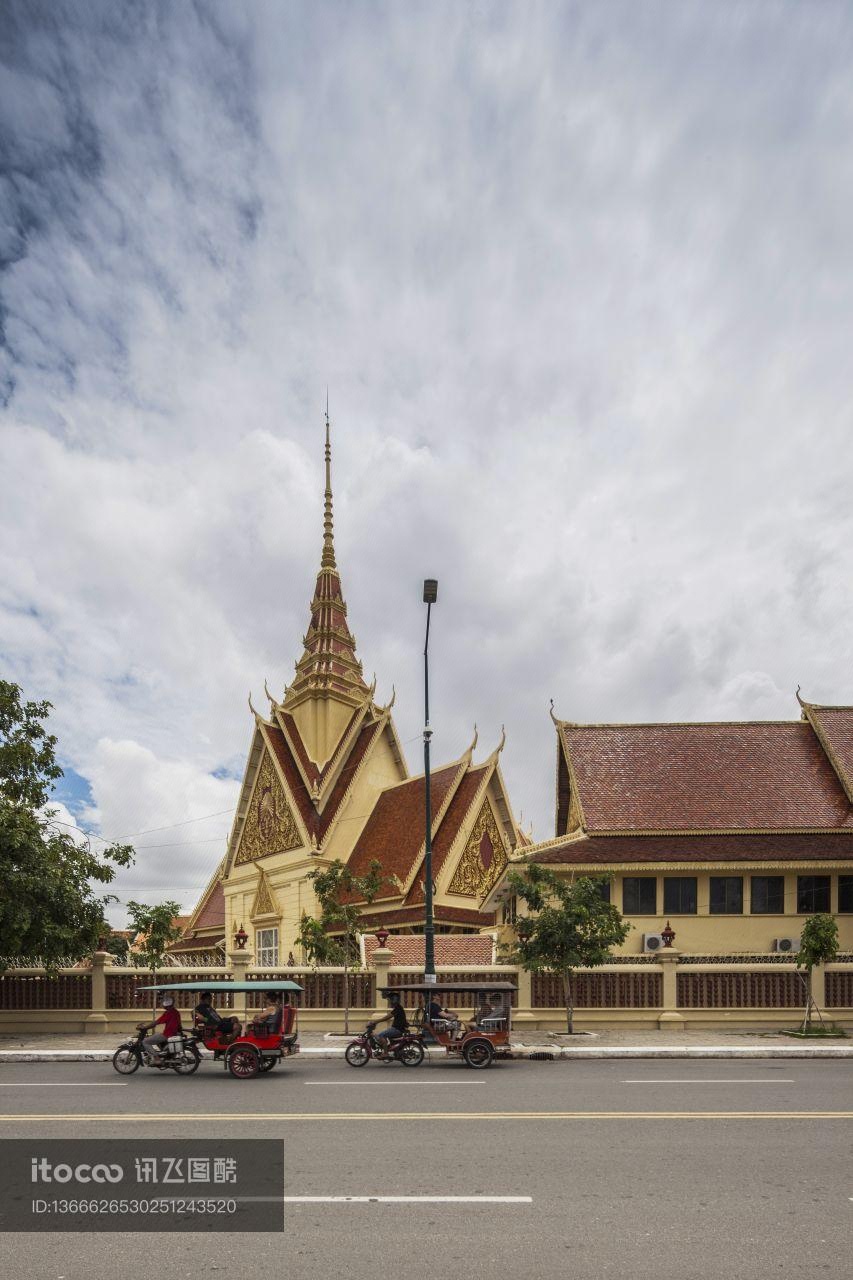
x=329 y=665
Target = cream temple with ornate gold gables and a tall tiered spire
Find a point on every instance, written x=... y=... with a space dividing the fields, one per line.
x=327 y=780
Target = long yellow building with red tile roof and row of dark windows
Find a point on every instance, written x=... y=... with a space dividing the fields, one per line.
x=733 y=833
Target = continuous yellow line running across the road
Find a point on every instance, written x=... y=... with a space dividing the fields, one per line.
x=422 y=1117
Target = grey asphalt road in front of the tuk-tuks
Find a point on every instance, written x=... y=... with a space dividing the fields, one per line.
x=624 y=1169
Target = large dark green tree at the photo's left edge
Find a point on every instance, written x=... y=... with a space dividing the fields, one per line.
x=49 y=907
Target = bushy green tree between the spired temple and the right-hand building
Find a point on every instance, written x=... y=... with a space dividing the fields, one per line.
x=572 y=926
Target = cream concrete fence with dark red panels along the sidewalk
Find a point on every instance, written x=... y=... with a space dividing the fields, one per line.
x=668 y=991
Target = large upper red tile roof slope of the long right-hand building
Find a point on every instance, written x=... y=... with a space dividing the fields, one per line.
x=700 y=778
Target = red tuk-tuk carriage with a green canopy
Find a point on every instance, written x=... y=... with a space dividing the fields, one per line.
x=262 y=1045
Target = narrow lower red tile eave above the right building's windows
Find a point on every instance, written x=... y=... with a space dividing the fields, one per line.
x=772 y=848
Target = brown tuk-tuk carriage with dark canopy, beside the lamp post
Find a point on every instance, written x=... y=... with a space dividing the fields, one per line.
x=480 y=1040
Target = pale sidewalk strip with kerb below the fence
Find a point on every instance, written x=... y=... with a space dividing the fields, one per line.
x=539 y=1045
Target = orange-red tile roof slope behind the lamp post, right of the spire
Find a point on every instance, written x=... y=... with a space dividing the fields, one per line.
x=395 y=830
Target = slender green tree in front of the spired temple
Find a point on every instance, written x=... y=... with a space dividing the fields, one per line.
x=331 y=938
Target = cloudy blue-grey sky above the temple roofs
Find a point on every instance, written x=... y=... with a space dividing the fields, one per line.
x=580 y=281
